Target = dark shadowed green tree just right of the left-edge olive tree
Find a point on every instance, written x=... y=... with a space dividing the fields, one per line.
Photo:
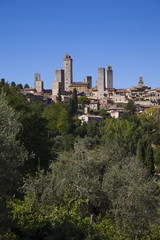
x=35 y=138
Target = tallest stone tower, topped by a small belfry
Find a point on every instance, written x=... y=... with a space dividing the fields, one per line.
x=67 y=66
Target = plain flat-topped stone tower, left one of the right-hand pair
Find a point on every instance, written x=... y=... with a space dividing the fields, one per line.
x=101 y=82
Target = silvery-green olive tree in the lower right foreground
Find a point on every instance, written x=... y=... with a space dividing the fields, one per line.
x=133 y=196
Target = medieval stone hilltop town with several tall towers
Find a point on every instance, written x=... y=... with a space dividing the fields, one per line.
x=102 y=96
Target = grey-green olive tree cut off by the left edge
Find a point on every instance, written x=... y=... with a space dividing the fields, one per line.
x=13 y=155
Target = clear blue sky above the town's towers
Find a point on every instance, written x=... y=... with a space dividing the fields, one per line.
x=36 y=34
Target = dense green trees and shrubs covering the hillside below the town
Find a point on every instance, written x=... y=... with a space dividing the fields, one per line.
x=64 y=180
